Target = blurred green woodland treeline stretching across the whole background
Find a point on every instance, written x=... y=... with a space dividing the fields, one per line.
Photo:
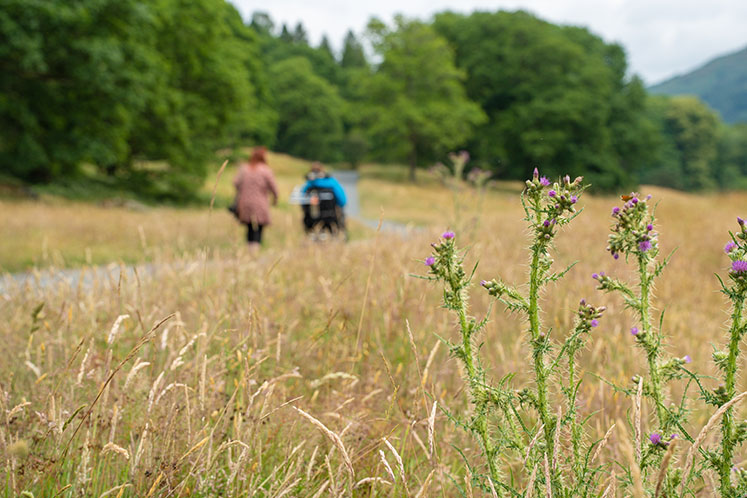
x=145 y=92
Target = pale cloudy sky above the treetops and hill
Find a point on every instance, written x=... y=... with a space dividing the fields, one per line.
x=663 y=38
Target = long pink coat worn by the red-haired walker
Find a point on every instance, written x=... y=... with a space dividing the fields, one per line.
x=253 y=185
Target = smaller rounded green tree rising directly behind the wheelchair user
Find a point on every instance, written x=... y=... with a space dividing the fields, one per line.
x=309 y=110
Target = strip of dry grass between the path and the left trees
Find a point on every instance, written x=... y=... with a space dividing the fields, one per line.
x=58 y=233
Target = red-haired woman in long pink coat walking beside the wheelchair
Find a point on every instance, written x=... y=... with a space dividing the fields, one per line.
x=255 y=184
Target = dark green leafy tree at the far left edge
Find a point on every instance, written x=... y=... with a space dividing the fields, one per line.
x=72 y=80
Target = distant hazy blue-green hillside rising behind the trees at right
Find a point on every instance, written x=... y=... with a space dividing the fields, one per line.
x=722 y=83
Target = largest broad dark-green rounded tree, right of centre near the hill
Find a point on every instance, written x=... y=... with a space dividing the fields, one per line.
x=556 y=98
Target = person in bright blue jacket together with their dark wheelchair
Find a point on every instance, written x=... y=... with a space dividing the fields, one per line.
x=332 y=215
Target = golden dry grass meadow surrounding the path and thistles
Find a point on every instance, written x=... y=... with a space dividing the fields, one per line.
x=291 y=373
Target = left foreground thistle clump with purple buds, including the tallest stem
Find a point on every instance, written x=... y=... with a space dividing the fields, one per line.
x=502 y=417
